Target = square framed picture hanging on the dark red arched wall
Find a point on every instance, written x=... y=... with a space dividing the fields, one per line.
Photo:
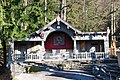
x=59 y=39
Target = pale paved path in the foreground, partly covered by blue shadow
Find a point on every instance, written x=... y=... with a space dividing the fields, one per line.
x=55 y=75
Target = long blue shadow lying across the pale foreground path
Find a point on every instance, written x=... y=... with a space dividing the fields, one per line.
x=73 y=75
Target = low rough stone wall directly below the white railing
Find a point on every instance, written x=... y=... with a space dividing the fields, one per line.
x=56 y=64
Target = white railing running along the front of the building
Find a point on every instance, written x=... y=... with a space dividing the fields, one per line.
x=59 y=56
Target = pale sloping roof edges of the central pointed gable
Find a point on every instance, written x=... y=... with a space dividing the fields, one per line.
x=58 y=19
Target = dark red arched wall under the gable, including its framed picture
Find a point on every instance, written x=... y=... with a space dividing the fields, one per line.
x=58 y=40
